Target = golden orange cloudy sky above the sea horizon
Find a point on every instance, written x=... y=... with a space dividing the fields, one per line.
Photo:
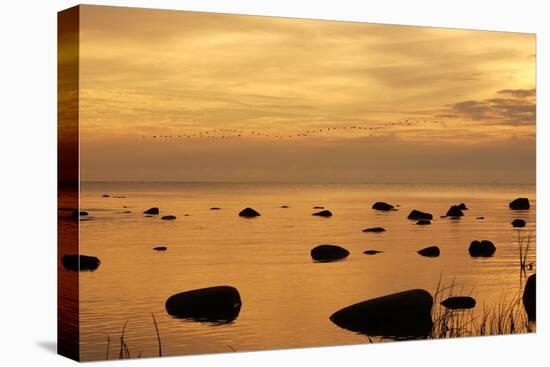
x=146 y=73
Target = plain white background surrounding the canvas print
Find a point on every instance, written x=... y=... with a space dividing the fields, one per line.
x=28 y=184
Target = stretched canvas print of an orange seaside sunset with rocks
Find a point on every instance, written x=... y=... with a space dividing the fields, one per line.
x=233 y=183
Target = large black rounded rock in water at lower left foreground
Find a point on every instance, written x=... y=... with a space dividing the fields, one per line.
x=222 y=303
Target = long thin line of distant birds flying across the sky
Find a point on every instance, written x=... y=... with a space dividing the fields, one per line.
x=239 y=133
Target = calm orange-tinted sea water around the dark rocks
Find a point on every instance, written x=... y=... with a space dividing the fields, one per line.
x=287 y=298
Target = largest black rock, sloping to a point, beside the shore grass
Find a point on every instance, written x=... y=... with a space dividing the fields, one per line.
x=403 y=314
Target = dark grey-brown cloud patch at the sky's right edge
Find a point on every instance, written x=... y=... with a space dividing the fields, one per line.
x=520 y=109
